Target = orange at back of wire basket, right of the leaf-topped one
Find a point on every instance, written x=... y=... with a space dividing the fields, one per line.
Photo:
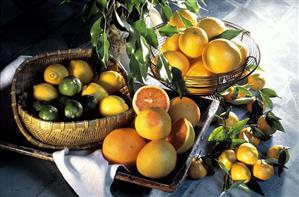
x=212 y=26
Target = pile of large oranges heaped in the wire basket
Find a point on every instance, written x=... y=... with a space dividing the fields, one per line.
x=196 y=51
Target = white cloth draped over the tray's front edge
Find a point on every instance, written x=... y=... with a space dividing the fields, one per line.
x=87 y=173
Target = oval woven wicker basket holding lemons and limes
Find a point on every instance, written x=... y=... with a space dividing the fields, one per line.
x=57 y=135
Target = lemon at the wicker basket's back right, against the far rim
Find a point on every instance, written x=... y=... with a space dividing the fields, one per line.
x=112 y=81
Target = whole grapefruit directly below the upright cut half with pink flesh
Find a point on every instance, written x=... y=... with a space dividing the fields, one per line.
x=153 y=123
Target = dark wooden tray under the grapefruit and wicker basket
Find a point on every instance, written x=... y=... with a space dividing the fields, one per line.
x=208 y=108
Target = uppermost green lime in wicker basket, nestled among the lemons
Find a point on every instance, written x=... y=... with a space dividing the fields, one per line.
x=70 y=86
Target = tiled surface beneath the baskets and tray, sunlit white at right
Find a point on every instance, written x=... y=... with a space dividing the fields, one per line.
x=273 y=24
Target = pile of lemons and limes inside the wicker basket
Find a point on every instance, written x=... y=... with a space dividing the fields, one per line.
x=71 y=92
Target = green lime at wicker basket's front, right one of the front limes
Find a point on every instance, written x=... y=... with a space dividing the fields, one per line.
x=73 y=109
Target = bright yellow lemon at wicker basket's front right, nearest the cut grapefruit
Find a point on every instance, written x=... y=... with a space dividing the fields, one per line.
x=112 y=105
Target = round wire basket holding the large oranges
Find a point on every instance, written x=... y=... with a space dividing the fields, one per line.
x=214 y=84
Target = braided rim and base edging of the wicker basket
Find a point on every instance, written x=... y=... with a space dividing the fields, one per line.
x=15 y=106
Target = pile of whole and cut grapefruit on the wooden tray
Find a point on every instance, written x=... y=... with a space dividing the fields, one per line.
x=161 y=130
